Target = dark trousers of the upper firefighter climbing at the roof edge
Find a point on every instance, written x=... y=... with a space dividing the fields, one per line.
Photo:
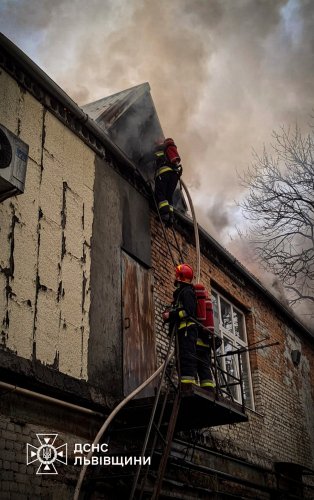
x=165 y=185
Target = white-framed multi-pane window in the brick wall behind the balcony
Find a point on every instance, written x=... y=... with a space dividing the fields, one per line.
x=230 y=327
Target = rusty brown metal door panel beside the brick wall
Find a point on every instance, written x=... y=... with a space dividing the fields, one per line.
x=139 y=350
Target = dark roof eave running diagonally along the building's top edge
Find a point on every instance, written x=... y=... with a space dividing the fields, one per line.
x=46 y=91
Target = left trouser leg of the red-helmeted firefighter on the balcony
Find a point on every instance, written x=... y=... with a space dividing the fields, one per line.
x=187 y=354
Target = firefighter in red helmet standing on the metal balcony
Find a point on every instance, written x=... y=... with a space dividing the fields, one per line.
x=194 y=344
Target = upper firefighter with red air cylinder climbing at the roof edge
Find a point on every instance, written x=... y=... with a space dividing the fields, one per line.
x=167 y=173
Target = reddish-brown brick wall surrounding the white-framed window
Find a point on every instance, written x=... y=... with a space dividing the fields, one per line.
x=281 y=428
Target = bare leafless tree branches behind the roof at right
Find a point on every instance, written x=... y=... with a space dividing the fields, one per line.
x=280 y=209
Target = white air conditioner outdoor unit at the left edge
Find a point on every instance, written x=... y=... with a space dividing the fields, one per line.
x=13 y=161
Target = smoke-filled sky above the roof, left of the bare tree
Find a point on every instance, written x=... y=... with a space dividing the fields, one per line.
x=224 y=74
